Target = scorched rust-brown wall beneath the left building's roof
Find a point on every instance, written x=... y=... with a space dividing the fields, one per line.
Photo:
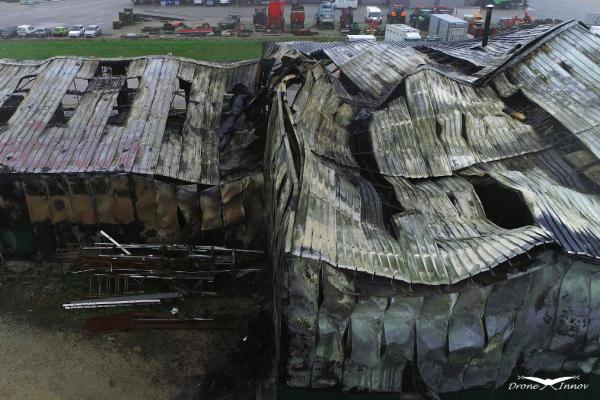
x=58 y=210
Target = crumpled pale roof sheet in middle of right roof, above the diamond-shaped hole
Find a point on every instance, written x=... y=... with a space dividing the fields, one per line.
x=442 y=126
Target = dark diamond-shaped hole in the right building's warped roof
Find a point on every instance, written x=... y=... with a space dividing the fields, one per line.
x=503 y=206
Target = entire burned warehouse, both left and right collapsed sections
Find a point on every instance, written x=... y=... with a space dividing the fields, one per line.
x=429 y=211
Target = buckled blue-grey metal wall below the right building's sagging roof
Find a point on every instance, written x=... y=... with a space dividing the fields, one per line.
x=543 y=320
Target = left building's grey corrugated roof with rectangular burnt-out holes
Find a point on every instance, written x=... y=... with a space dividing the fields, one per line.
x=88 y=143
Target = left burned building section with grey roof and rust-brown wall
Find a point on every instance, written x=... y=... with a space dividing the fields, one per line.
x=150 y=148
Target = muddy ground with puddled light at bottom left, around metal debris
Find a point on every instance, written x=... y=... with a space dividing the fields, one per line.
x=44 y=355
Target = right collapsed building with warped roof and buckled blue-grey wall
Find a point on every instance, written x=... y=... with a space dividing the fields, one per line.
x=448 y=174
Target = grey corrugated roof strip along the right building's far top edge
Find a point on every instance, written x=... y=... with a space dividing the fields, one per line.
x=377 y=67
